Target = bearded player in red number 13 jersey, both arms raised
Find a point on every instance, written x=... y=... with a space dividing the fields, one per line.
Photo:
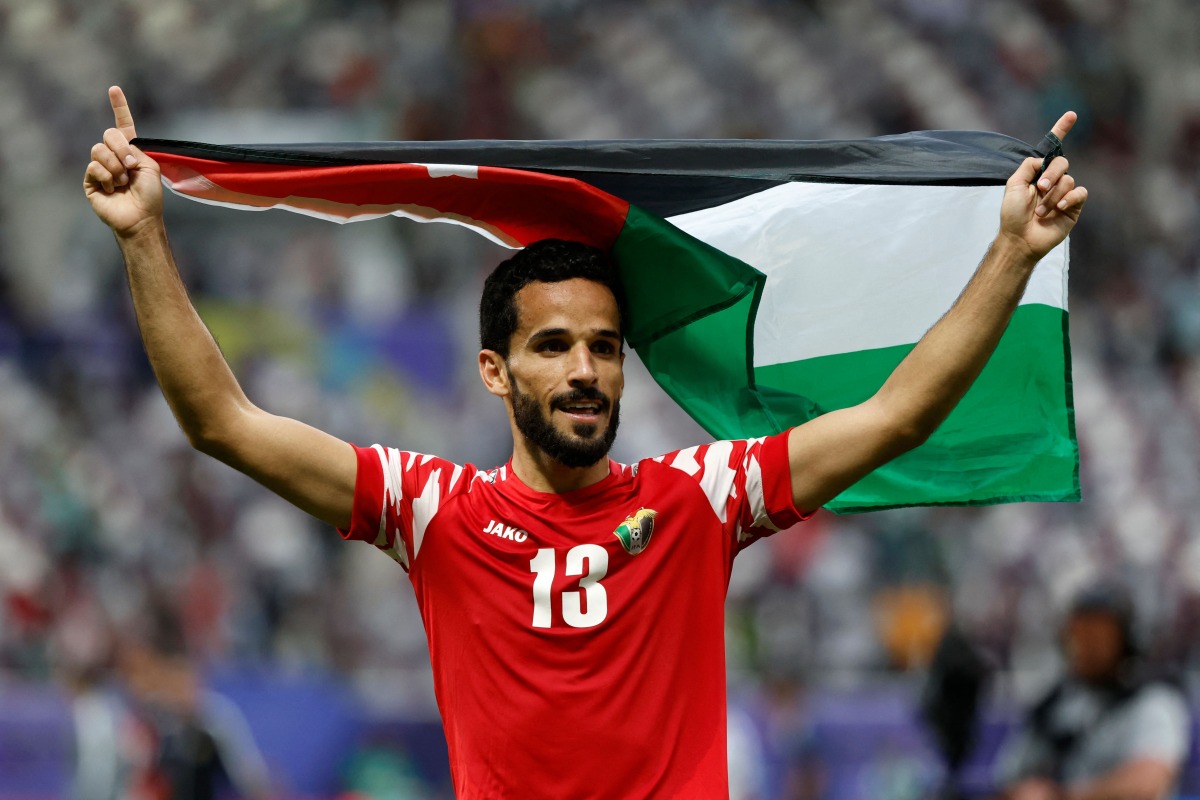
x=574 y=606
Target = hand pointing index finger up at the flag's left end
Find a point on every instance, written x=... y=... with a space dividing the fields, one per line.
x=123 y=184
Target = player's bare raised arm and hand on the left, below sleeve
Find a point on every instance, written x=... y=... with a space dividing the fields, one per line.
x=307 y=467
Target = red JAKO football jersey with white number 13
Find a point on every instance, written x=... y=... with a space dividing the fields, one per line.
x=578 y=640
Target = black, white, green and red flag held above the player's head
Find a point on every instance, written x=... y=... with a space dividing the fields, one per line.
x=769 y=282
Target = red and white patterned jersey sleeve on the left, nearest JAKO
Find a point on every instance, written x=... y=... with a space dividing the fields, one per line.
x=397 y=496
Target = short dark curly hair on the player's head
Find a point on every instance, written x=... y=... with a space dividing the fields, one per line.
x=549 y=261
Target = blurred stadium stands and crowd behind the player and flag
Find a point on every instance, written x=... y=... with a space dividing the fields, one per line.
x=112 y=530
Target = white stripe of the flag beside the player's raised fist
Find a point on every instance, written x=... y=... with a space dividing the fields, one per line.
x=861 y=267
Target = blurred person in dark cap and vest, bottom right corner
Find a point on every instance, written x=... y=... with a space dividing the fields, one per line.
x=1103 y=733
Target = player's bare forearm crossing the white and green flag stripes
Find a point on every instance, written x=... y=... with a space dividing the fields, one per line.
x=931 y=382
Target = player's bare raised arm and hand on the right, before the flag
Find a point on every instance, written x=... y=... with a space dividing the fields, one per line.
x=836 y=450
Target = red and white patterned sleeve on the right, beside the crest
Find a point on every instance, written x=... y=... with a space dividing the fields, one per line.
x=747 y=482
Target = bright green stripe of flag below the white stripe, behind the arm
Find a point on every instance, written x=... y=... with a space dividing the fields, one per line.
x=1012 y=438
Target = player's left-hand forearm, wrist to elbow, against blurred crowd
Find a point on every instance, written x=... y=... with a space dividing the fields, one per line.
x=195 y=378
